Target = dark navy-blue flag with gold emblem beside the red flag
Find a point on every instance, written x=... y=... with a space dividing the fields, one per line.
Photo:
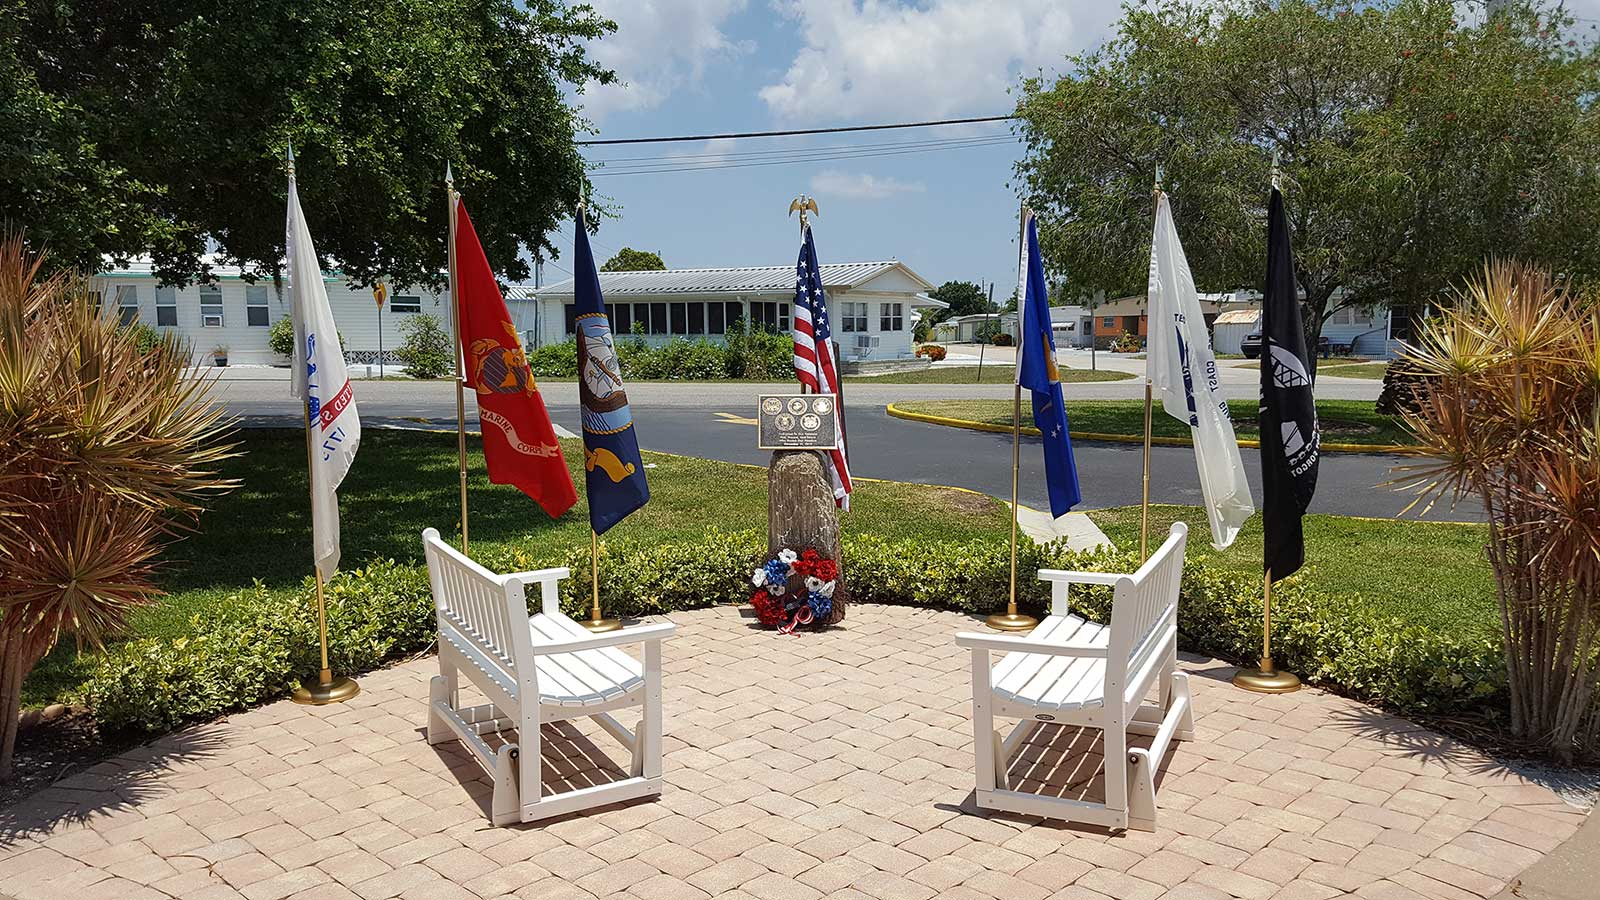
x=615 y=475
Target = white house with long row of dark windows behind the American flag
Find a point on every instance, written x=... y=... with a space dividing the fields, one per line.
x=873 y=305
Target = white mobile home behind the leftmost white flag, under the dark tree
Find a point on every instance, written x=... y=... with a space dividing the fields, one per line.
x=233 y=313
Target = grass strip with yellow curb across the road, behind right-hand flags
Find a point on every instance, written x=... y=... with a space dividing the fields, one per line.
x=1343 y=422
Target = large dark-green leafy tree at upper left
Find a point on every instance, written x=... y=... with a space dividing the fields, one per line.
x=162 y=127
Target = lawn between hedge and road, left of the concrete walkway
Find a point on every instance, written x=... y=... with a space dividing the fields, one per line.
x=406 y=481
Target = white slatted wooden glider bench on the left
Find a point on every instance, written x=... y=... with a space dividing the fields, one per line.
x=535 y=670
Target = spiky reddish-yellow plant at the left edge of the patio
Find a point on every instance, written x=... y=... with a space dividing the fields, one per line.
x=106 y=452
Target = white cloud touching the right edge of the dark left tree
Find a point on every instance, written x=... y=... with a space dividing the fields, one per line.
x=660 y=47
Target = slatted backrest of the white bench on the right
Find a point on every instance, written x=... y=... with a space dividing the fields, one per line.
x=1145 y=616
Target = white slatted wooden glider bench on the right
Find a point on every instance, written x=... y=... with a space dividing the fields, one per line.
x=1081 y=673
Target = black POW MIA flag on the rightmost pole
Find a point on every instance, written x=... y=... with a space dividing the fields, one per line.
x=1290 y=438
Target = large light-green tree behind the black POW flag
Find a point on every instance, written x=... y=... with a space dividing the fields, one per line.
x=1414 y=145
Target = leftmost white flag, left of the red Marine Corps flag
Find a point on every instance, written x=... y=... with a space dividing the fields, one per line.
x=321 y=380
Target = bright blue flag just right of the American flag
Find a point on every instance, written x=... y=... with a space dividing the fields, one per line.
x=1036 y=371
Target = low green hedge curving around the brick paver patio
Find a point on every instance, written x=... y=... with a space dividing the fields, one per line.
x=266 y=640
